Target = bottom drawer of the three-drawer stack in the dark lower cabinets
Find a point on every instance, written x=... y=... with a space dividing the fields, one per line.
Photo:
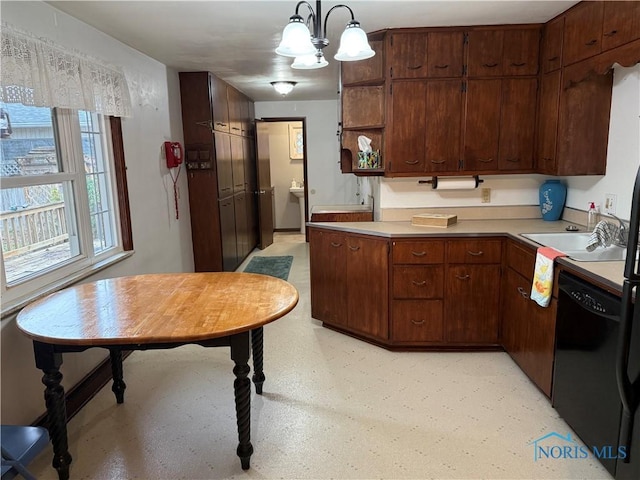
x=417 y=321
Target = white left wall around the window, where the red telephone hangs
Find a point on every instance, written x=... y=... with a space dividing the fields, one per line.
x=162 y=243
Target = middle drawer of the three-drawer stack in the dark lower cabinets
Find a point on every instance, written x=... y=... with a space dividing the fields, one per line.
x=418 y=282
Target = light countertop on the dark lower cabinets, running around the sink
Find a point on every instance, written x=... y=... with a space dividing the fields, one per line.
x=609 y=274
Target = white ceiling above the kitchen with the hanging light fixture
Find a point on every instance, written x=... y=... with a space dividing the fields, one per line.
x=236 y=39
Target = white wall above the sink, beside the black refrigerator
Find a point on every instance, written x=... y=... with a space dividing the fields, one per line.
x=623 y=153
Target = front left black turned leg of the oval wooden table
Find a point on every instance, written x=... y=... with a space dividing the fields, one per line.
x=49 y=362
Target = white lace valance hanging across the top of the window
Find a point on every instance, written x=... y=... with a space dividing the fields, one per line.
x=40 y=73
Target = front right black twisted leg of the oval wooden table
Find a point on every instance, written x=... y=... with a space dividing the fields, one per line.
x=242 y=391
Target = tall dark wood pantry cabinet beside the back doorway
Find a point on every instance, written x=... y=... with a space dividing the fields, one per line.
x=221 y=171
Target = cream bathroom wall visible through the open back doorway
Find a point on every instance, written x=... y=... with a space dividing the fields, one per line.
x=283 y=170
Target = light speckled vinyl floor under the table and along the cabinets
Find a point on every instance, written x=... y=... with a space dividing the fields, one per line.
x=333 y=408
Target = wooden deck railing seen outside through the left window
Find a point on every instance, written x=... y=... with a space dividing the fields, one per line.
x=33 y=228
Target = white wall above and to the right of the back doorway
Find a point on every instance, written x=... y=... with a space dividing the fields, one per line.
x=326 y=184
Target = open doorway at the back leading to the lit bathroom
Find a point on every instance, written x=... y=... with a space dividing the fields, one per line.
x=288 y=163
